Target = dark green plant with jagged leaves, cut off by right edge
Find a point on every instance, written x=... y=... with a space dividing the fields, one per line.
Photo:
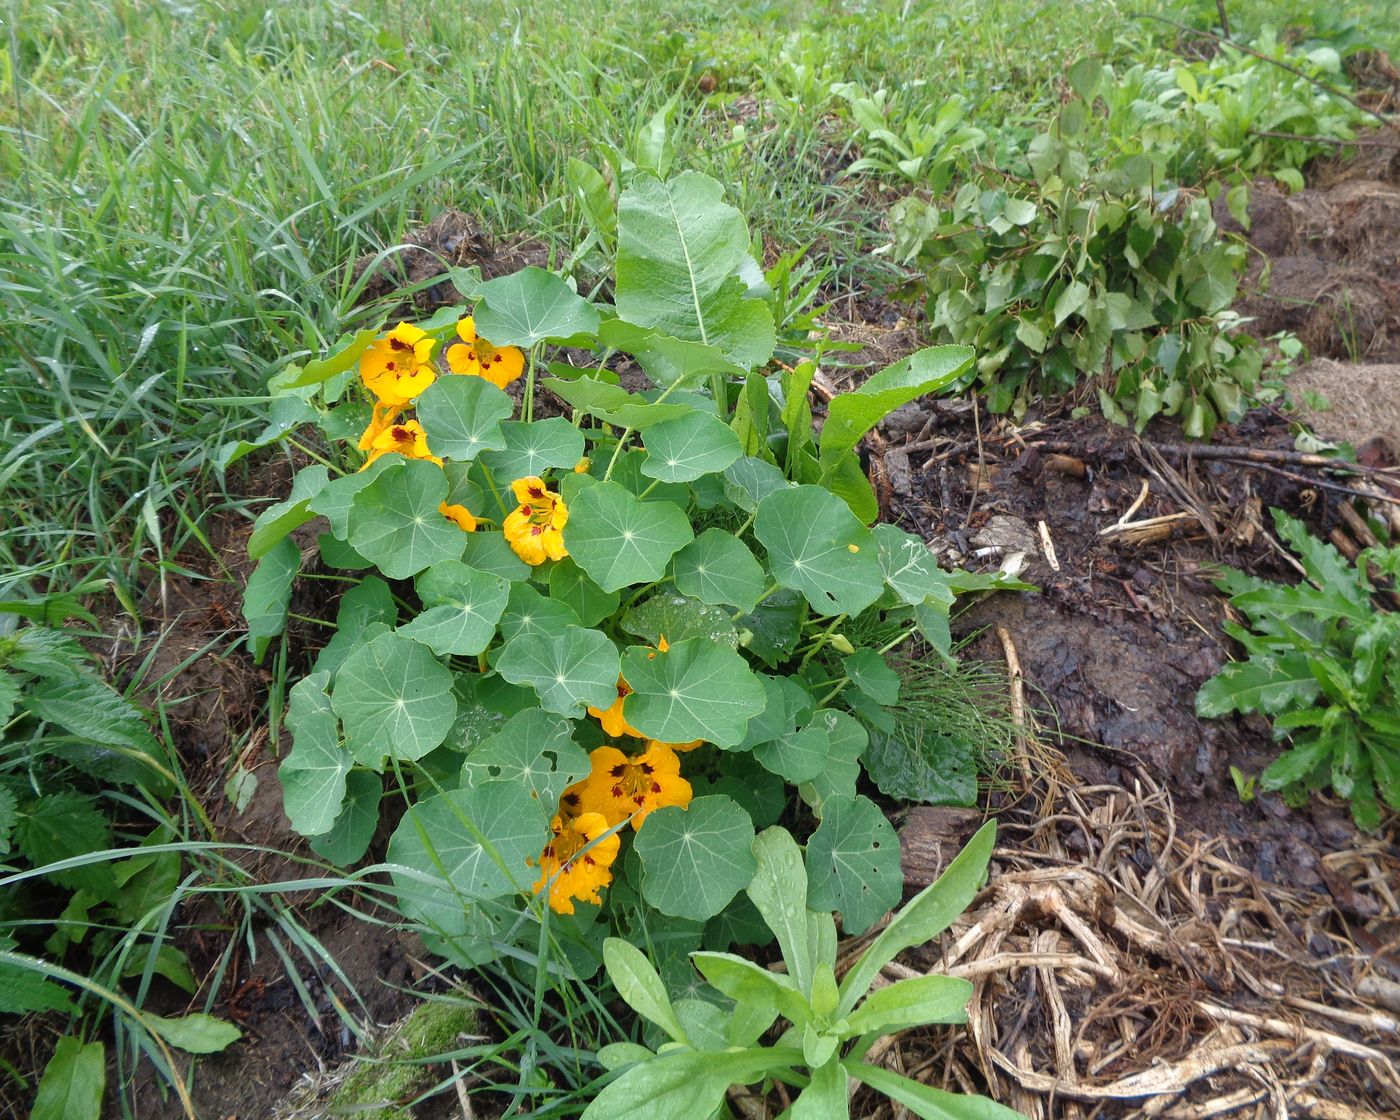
x=1324 y=664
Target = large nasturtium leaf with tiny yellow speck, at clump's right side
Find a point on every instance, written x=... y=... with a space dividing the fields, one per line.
x=818 y=547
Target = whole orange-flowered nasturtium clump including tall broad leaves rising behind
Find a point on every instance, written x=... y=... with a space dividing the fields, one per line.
x=598 y=650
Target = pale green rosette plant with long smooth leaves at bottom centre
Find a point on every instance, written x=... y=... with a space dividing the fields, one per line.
x=829 y=1027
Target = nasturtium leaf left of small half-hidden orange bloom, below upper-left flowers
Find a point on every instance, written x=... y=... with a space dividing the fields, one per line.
x=397 y=524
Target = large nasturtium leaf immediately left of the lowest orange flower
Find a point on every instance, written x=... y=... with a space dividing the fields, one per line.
x=465 y=846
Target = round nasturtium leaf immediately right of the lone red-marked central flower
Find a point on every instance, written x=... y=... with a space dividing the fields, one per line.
x=619 y=540
